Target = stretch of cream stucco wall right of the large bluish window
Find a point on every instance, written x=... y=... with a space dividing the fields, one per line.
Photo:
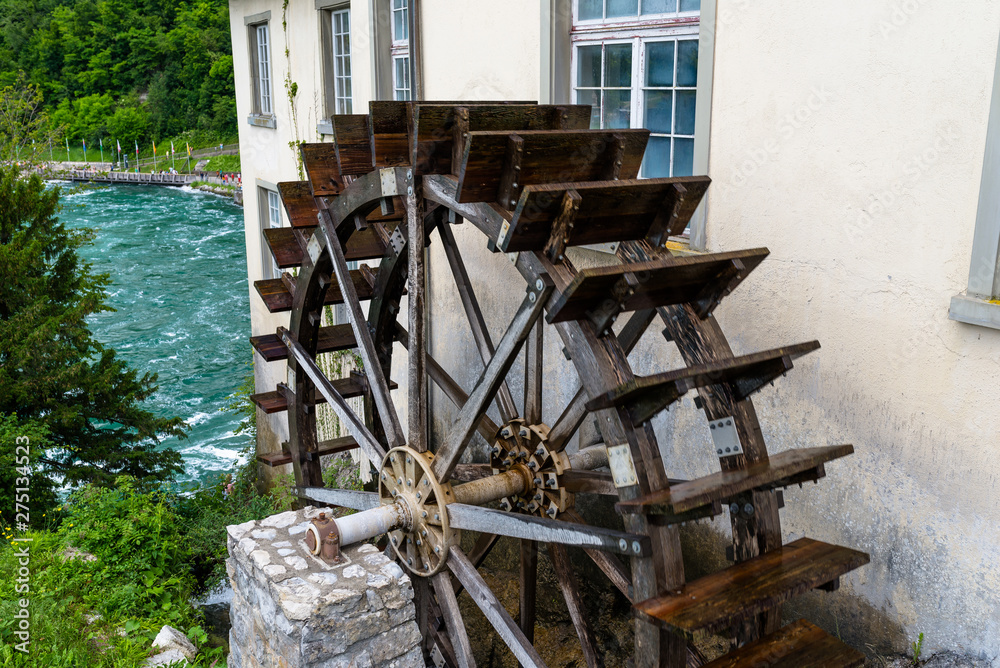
x=848 y=138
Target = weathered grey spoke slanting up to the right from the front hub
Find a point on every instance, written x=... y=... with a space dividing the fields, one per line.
x=468 y=418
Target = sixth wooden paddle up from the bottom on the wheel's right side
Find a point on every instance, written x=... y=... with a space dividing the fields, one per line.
x=609 y=210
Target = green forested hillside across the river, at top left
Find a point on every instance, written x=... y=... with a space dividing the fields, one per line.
x=131 y=70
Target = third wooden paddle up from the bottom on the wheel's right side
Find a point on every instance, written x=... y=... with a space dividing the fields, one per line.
x=723 y=485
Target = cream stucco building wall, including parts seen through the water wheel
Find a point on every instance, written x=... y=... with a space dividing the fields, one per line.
x=848 y=138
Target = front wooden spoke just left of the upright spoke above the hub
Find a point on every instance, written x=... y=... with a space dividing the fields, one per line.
x=366 y=347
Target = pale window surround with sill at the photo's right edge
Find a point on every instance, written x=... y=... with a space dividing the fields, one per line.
x=980 y=303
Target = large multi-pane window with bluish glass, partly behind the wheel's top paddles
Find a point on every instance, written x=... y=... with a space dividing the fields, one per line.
x=636 y=64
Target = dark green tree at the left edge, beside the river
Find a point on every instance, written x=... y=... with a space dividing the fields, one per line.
x=52 y=370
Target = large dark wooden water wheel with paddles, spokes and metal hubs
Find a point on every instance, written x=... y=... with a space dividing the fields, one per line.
x=534 y=180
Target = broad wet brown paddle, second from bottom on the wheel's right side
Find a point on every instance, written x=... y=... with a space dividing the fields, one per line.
x=721 y=599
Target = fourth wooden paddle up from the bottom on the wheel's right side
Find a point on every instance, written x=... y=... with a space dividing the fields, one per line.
x=645 y=396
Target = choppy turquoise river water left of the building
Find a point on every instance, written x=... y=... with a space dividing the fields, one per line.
x=179 y=286
